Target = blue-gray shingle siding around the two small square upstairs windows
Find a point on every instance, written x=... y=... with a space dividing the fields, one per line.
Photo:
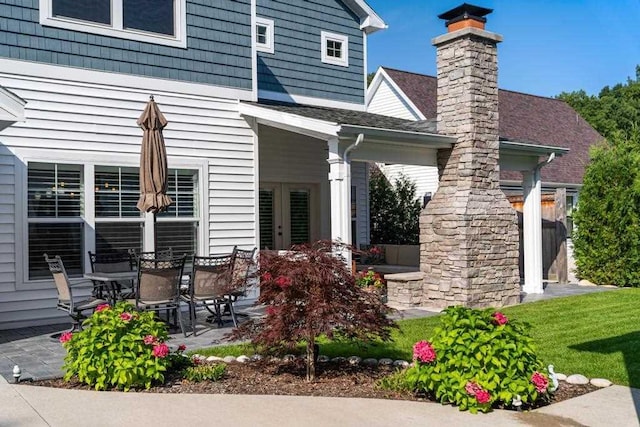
x=296 y=67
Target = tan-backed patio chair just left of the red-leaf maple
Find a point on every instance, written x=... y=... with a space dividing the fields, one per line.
x=210 y=286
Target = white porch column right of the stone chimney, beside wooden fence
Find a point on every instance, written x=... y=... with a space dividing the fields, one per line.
x=532 y=233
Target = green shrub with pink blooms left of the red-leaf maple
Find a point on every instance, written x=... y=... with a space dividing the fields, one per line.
x=121 y=348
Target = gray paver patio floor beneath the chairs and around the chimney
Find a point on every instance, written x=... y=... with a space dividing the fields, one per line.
x=41 y=357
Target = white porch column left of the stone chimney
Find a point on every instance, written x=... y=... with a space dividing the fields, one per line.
x=340 y=185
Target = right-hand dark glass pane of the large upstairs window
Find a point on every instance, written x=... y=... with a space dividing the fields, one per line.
x=154 y=16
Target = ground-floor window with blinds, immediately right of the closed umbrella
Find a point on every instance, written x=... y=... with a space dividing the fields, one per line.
x=177 y=228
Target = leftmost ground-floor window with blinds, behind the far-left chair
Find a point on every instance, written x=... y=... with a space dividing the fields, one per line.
x=55 y=198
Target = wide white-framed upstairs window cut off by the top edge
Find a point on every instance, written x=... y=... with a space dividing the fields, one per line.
x=152 y=21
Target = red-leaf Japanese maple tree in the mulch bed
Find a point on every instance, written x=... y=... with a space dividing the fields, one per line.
x=309 y=292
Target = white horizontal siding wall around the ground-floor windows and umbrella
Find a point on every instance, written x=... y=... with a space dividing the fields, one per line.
x=97 y=123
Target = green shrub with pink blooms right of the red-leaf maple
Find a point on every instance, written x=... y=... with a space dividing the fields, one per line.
x=478 y=359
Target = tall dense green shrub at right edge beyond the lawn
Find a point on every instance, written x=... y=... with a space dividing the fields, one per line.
x=607 y=234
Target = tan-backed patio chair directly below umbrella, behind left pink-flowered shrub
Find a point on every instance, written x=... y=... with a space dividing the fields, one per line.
x=158 y=286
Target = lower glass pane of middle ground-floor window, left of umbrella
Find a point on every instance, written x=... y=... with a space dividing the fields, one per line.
x=112 y=237
